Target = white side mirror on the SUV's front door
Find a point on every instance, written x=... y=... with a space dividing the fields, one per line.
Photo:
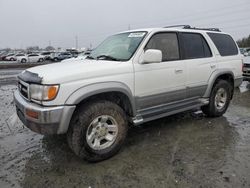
x=152 y=56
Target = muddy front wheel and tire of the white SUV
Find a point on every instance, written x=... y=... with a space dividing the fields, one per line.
x=97 y=130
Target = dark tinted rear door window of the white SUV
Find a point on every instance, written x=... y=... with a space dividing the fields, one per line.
x=195 y=46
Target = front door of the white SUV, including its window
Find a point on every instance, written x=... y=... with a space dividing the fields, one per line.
x=161 y=83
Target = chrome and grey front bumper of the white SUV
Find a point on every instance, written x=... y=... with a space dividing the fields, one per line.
x=50 y=120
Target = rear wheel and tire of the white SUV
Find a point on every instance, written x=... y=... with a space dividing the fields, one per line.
x=219 y=99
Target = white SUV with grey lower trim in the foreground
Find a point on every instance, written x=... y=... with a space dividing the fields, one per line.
x=132 y=77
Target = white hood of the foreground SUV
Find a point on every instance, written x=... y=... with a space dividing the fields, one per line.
x=69 y=71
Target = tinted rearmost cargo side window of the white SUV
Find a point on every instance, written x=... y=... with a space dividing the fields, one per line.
x=224 y=43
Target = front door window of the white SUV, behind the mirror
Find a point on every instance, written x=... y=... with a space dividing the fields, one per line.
x=167 y=43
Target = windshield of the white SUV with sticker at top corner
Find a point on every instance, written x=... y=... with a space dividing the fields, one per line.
x=120 y=47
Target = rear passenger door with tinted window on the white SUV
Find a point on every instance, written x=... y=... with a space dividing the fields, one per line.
x=199 y=61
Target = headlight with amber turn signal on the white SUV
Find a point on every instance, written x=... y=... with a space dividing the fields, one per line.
x=43 y=92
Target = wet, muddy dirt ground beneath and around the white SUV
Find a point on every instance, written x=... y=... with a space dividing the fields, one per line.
x=185 y=150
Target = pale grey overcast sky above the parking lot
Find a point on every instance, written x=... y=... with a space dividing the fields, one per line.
x=41 y=22
